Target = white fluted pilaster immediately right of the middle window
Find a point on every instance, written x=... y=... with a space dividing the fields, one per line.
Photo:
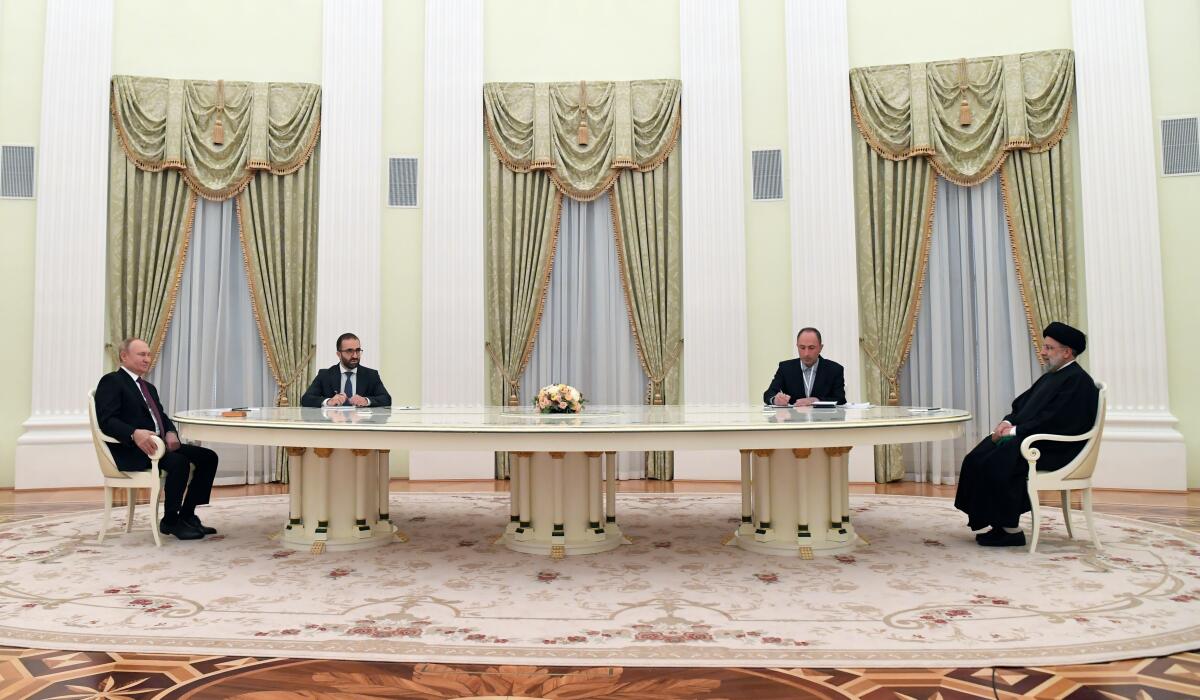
x=715 y=284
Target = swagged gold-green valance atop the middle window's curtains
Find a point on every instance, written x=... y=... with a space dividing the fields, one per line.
x=535 y=127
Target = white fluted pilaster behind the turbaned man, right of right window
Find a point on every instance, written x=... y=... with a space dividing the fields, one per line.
x=1126 y=327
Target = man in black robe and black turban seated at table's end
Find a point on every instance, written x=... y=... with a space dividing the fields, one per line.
x=993 y=482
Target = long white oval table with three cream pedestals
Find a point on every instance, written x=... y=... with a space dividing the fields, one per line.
x=795 y=477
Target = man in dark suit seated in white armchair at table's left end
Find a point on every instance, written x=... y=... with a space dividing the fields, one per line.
x=128 y=409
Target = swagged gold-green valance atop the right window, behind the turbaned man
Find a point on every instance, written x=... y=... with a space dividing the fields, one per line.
x=1018 y=101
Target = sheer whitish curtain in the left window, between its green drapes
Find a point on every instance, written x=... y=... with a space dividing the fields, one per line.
x=213 y=356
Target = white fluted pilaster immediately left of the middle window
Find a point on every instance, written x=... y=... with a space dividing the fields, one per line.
x=453 y=226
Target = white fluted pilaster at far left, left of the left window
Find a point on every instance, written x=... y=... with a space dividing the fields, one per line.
x=73 y=199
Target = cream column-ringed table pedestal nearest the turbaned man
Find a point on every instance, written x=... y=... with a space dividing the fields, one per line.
x=796 y=502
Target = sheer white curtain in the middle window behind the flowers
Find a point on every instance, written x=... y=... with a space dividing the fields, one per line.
x=585 y=339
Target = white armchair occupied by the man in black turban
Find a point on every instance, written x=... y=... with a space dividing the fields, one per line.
x=1075 y=476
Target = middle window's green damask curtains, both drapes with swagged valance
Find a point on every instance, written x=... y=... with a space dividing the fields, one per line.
x=632 y=130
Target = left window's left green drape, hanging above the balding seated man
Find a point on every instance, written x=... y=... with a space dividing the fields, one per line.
x=151 y=218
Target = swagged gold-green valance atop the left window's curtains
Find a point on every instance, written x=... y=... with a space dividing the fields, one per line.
x=166 y=124
